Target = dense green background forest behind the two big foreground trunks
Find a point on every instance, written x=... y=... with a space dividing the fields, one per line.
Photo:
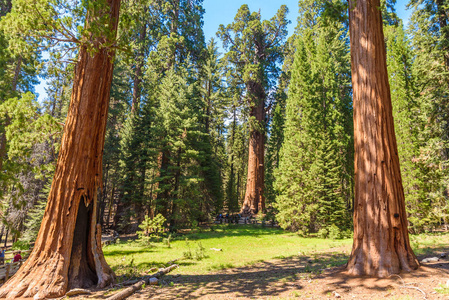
x=257 y=121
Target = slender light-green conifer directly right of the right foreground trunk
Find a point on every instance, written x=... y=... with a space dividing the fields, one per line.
x=410 y=129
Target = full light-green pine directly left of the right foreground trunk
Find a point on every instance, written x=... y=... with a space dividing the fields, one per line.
x=313 y=180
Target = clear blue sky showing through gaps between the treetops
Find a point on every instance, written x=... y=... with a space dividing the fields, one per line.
x=223 y=11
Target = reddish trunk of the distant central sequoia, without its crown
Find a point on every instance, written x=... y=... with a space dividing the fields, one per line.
x=254 y=199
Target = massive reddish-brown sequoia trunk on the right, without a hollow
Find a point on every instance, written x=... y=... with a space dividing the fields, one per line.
x=381 y=243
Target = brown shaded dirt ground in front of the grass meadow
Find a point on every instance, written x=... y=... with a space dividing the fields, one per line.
x=300 y=278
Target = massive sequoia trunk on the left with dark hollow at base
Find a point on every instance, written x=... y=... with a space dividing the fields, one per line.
x=67 y=253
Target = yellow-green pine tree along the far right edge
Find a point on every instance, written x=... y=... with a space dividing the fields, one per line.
x=429 y=43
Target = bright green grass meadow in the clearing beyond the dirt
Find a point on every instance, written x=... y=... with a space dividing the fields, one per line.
x=241 y=246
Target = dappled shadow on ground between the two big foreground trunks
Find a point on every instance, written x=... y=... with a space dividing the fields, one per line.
x=261 y=279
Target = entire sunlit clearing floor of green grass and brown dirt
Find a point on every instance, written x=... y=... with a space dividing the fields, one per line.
x=267 y=263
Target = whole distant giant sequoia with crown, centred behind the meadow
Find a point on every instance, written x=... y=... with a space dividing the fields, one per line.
x=255 y=51
